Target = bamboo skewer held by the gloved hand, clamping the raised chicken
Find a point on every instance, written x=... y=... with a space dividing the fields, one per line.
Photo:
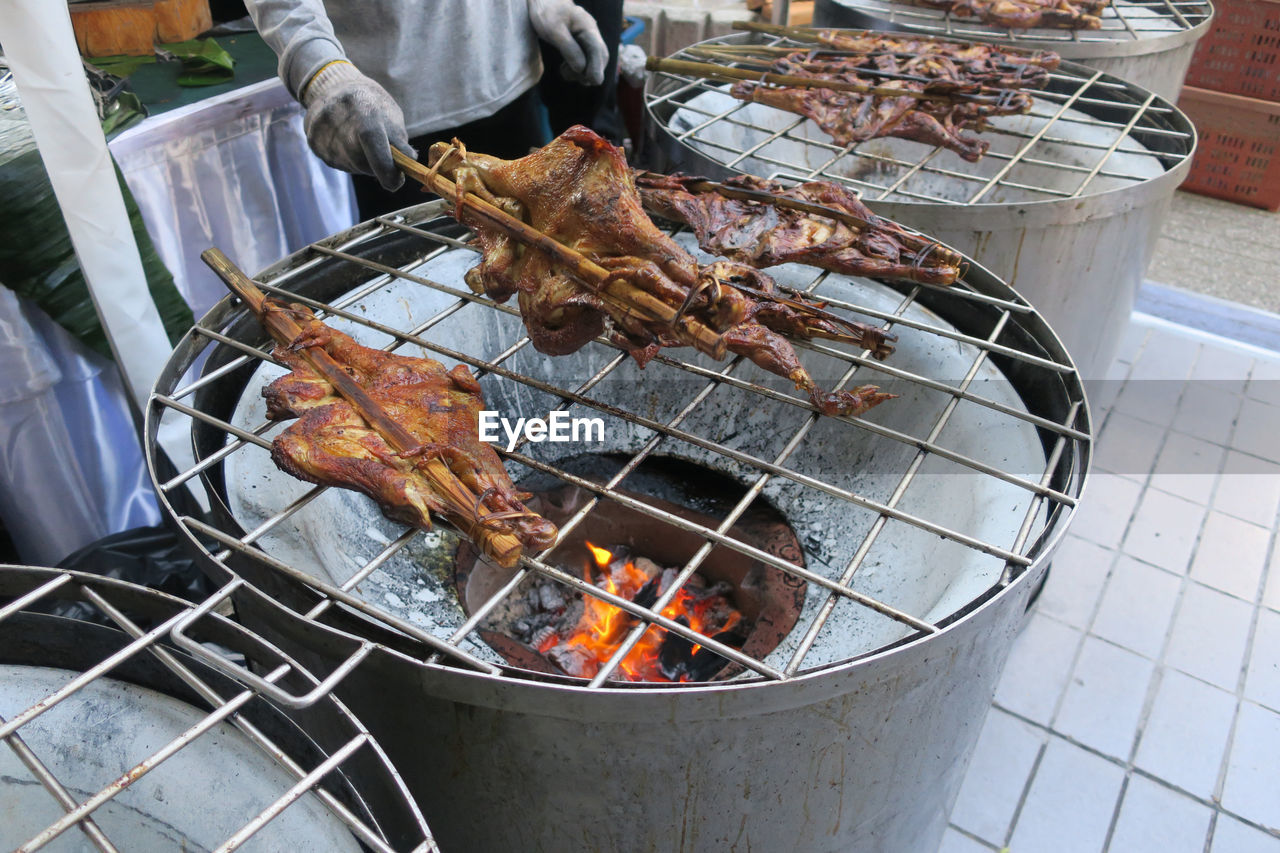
x=621 y=295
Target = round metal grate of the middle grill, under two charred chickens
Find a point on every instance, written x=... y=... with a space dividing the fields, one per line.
x=1087 y=134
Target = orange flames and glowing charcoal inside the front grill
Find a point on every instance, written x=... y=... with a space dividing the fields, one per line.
x=659 y=656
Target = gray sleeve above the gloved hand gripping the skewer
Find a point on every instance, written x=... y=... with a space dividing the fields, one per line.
x=300 y=34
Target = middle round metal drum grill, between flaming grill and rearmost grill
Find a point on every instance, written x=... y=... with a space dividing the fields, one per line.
x=1066 y=206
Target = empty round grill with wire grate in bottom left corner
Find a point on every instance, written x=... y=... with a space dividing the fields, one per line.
x=121 y=740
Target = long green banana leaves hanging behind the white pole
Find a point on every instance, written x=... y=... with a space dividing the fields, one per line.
x=36 y=257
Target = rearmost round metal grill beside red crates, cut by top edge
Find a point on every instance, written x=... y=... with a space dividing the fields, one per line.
x=1148 y=43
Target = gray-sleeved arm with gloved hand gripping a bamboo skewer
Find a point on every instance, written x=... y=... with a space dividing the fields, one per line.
x=351 y=121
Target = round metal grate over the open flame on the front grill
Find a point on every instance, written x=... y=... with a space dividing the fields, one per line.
x=392 y=250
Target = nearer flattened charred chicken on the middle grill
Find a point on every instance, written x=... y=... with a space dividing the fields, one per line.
x=856 y=117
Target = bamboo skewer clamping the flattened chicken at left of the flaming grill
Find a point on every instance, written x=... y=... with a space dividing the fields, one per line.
x=467 y=514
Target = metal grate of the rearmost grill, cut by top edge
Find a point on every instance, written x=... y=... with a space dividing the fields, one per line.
x=1123 y=21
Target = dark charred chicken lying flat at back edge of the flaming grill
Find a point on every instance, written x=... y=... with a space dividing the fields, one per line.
x=760 y=229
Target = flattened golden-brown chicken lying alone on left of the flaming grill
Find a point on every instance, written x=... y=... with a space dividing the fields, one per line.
x=332 y=444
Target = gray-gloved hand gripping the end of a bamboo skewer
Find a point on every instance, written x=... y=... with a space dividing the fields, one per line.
x=353 y=124
